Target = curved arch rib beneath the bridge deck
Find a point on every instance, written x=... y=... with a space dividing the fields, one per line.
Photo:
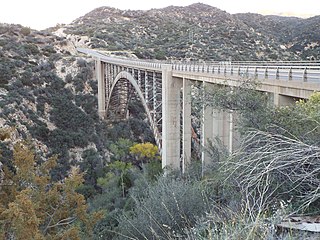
x=123 y=75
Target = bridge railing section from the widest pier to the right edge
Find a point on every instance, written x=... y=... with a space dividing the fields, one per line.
x=301 y=72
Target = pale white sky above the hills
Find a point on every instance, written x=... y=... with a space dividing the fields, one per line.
x=41 y=14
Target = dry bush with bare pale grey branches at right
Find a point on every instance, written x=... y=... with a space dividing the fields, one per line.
x=270 y=168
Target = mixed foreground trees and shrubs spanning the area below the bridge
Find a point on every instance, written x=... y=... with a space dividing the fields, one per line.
x=274 y=174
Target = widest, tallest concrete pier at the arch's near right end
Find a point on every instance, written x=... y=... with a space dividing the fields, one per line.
x=170 y=118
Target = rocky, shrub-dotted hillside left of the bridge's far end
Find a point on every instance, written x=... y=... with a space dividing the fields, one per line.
x=48 y=97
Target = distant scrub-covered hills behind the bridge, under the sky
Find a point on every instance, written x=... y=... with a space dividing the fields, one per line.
x=198 y=31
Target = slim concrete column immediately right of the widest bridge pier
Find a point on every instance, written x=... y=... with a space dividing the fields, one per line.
x=186 y=128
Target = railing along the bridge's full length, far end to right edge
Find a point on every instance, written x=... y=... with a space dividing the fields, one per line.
x=300 y=71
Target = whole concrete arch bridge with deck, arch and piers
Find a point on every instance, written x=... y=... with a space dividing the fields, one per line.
x=165 y=92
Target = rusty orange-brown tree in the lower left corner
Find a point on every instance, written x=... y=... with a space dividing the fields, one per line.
x=32 y=206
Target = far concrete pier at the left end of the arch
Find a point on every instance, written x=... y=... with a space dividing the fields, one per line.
x=100 y=74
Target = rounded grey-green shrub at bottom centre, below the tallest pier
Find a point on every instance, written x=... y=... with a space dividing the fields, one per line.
x=168 y=207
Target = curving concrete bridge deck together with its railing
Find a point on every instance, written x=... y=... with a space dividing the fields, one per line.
x=295 y=79
